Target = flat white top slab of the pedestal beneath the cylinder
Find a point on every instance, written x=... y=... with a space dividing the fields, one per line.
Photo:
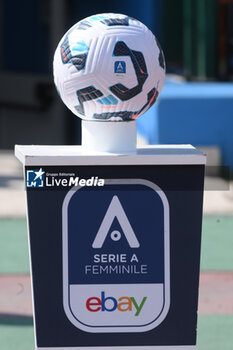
x=76 y=155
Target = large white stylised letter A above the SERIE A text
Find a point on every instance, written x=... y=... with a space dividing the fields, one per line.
x=115 y=210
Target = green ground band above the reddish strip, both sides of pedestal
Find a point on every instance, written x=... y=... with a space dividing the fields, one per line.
x=217 y=245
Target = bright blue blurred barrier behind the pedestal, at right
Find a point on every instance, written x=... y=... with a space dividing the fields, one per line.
x=196 y=113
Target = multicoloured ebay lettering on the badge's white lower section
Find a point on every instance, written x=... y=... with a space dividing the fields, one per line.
x=110 y=304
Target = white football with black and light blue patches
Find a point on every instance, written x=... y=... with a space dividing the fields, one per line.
x=109 y=67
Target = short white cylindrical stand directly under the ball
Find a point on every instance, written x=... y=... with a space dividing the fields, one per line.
x=113 y=137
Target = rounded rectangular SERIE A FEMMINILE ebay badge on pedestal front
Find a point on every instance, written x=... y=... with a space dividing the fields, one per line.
x=116 y=273
